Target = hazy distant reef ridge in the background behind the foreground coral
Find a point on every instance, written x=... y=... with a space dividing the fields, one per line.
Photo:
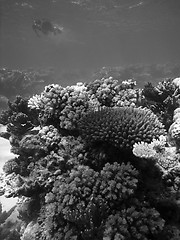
x=32 y=81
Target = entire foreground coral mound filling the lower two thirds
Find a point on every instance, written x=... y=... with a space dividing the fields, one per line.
x=96 y=161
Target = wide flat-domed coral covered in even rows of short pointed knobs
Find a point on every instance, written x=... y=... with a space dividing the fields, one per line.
x=121 y=127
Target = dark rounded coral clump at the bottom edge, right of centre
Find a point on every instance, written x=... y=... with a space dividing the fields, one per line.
x=135 y=222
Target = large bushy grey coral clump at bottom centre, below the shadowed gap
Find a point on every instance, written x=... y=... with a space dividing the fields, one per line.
x=85 y=197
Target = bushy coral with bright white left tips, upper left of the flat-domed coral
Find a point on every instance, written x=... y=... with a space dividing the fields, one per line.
x=63 y=105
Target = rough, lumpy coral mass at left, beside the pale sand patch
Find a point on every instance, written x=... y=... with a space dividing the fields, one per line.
x=40 y=161
